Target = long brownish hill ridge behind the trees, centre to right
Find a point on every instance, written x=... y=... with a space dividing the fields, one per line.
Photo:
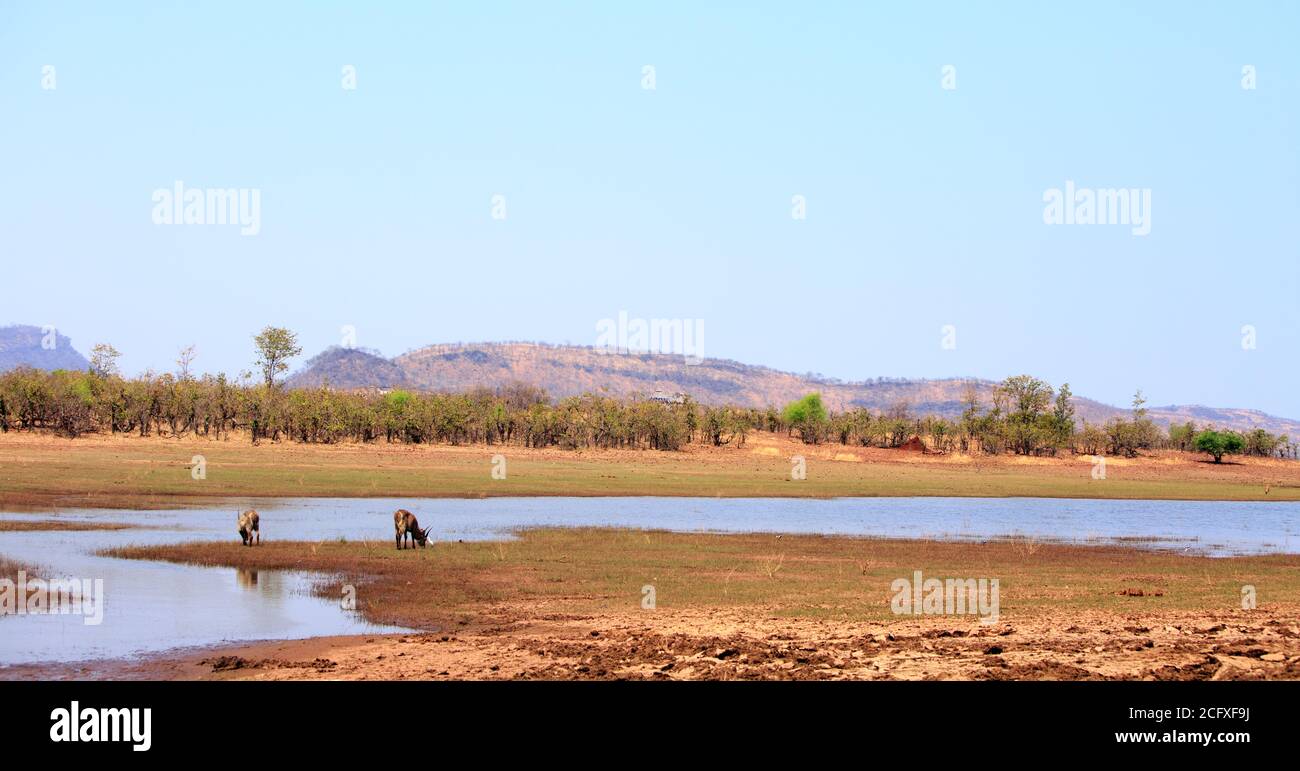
x=566 y=371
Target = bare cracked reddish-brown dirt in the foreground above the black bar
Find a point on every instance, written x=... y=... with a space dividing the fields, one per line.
x=740 y=644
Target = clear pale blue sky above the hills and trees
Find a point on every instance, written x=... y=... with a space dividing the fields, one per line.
x=925 y=206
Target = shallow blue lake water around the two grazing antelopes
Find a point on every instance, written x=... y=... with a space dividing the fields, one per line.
x=155 y=607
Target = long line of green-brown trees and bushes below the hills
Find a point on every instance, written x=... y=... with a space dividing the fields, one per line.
x=1025 y=415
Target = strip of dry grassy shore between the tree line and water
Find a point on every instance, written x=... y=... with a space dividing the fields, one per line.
x=136 y=473
